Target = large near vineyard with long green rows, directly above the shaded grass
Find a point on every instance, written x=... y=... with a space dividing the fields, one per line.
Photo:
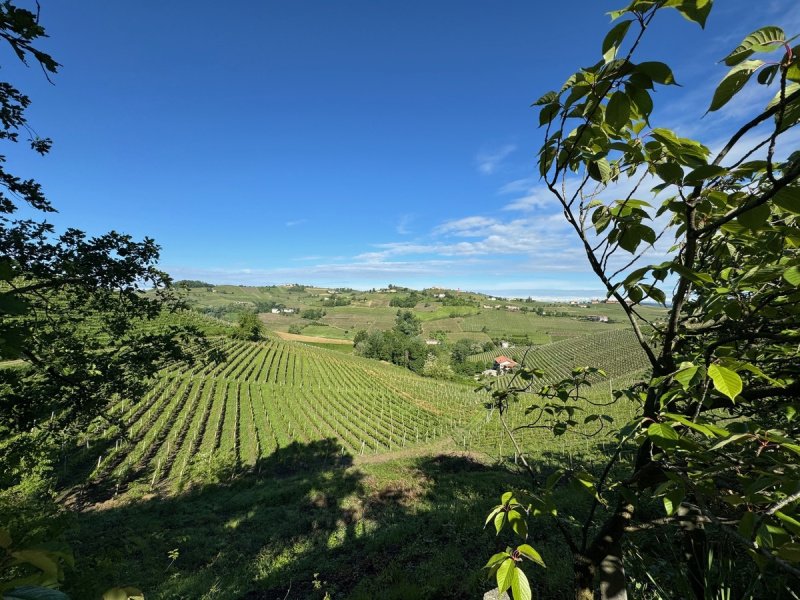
x=264 y=397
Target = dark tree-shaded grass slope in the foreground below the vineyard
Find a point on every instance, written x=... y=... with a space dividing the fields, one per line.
x=304 y=522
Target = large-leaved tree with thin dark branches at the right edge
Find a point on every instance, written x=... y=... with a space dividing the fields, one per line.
x=715 y=438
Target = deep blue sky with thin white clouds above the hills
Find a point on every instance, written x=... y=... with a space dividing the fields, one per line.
x=351 y=143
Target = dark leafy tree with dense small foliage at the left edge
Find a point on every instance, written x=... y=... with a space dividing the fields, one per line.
x=85 y=317
